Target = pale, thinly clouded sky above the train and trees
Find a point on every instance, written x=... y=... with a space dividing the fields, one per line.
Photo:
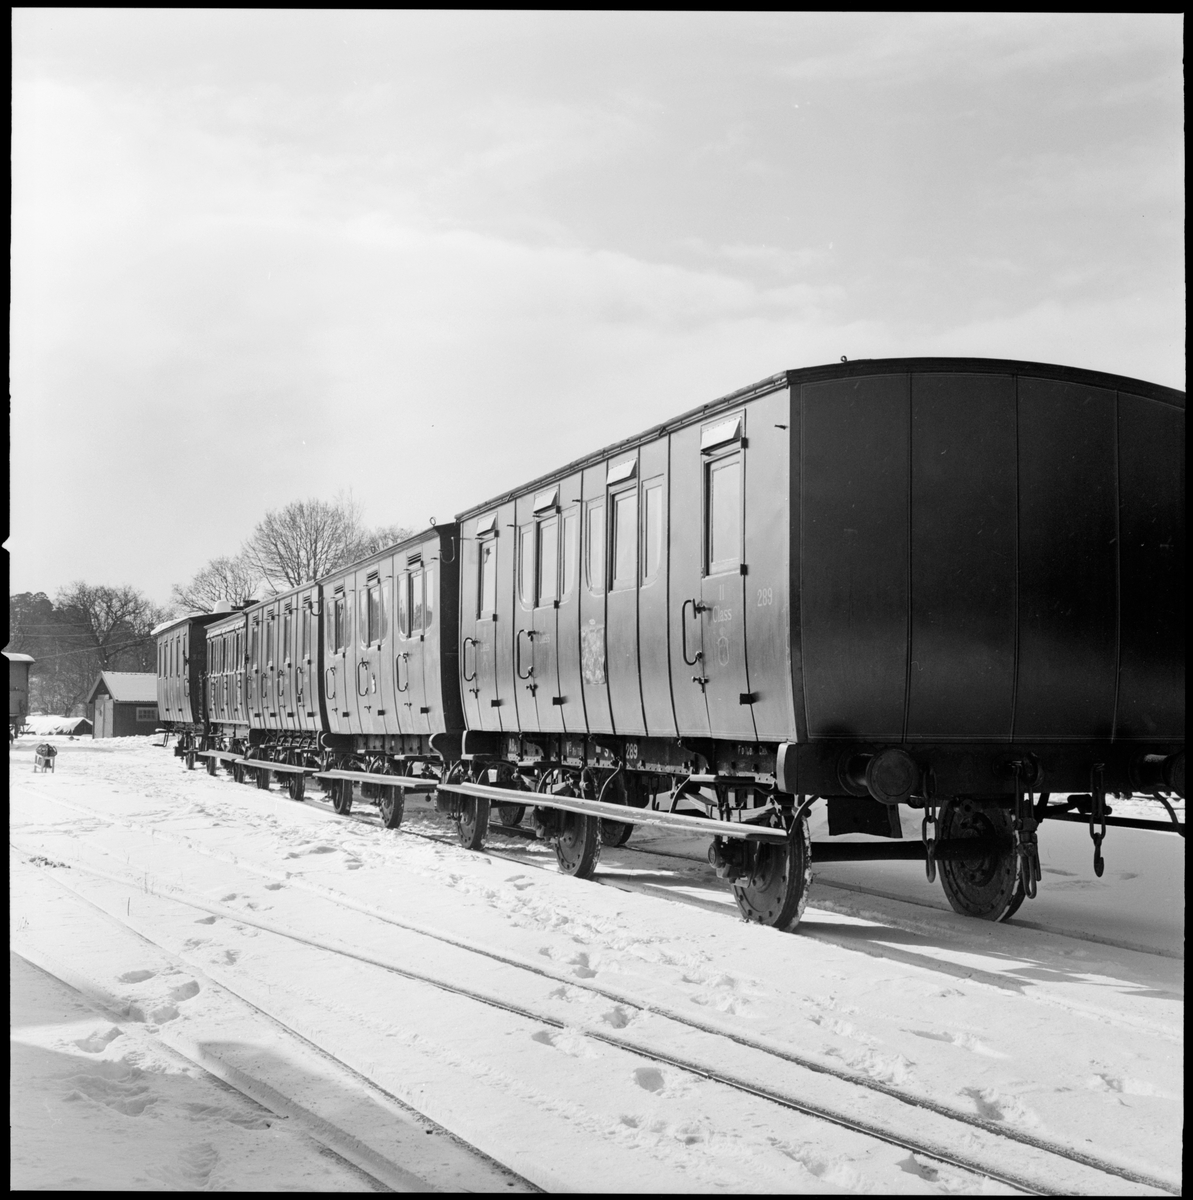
x=424 y=257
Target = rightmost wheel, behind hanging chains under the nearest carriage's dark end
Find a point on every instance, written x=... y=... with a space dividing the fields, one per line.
x=988 y=889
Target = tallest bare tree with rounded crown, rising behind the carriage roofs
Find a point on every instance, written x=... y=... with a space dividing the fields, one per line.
x=307 y=539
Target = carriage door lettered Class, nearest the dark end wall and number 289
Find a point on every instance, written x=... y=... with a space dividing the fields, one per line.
x=723 y=587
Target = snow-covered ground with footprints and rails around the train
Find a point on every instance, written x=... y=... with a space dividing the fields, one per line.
x=217 y=987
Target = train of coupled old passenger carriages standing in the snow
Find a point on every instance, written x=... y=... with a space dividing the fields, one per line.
x=952 y=585
